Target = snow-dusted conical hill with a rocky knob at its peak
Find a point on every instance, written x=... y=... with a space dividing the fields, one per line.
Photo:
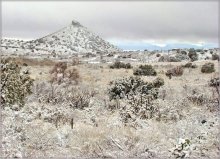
x=74 y=38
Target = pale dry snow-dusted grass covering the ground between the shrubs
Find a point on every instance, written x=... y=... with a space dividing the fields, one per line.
x=100 y=133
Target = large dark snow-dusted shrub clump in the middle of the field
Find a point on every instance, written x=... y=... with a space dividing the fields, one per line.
x=137 y=95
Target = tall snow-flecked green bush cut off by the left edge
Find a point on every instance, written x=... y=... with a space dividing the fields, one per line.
x=15 y=86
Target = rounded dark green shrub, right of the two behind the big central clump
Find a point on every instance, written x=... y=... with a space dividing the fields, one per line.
x=145 y=70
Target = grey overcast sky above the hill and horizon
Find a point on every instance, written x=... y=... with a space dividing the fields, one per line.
x=122 y=23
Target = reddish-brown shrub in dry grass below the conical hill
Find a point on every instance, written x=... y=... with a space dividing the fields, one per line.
x=60 y=73
